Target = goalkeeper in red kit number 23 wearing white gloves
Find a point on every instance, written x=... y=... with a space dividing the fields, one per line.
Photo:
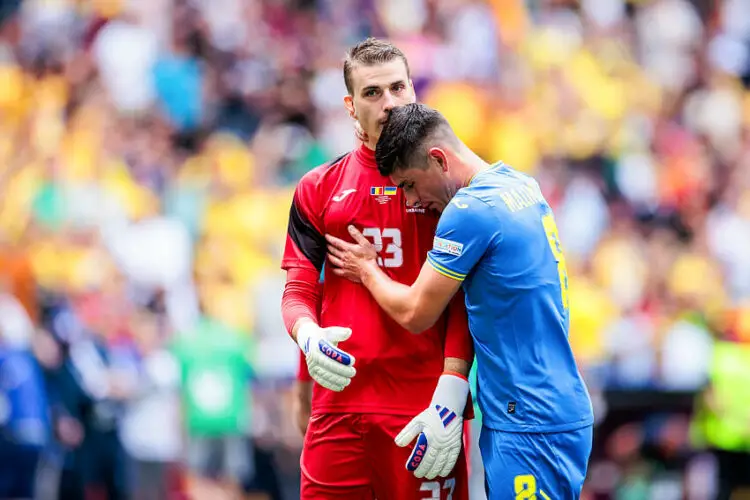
x=371 y=376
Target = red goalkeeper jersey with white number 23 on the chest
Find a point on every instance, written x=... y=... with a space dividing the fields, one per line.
x=396 y=370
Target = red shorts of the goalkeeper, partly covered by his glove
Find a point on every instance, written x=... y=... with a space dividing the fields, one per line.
x=353 y=456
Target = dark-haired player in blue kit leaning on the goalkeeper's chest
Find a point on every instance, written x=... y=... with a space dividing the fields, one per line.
x=497 y=238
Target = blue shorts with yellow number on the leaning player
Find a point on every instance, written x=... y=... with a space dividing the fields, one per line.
x=549 y=466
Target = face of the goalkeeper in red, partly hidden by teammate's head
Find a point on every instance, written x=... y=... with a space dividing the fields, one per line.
x=376 y=90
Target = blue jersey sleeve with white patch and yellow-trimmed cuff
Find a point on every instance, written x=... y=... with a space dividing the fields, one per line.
x=466 y=229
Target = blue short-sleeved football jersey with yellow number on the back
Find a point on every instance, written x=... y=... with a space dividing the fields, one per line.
x=498 y=236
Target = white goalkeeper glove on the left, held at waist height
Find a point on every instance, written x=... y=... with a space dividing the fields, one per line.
x=328 y=365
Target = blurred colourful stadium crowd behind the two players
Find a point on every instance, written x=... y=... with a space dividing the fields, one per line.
x=148 y=153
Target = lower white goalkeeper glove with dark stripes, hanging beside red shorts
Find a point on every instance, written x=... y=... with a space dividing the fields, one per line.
x=438 y=429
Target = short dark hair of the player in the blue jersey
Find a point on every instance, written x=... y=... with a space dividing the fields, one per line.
x=402 y=142
